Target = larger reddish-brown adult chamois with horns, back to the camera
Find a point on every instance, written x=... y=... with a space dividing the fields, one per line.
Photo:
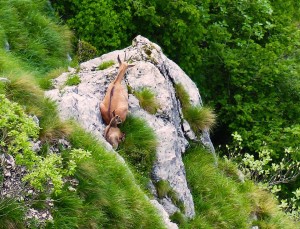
x=116 y=97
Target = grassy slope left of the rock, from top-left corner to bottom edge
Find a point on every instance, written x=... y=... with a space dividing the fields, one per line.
x=33 y=44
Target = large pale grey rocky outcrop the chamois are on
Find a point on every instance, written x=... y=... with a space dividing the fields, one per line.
x=156 y=72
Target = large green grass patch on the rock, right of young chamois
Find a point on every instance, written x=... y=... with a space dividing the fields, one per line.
x=139 y=146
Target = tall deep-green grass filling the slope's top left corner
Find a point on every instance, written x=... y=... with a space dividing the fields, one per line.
x=33 y=34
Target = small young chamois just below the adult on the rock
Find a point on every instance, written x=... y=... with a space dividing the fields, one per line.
x=112 y=132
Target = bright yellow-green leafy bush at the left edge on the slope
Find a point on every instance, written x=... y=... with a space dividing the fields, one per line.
x=16 y=129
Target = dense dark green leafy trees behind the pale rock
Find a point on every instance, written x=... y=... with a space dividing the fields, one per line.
x=243 y=55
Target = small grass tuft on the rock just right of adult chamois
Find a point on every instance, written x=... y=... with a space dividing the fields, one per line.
x=147 y=100
